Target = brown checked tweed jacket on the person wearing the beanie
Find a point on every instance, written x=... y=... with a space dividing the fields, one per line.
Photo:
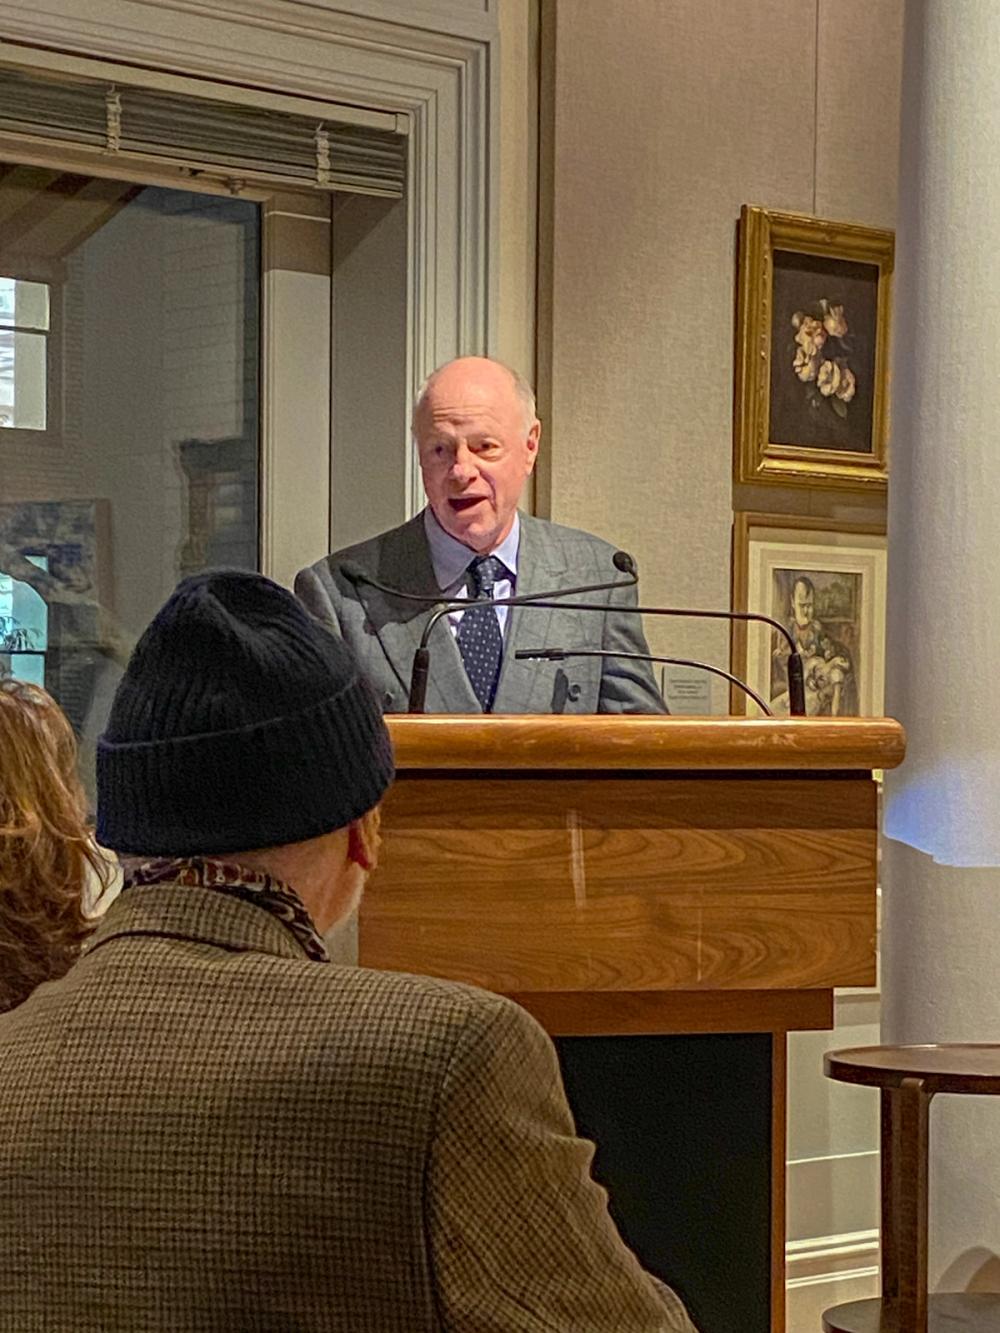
x=202 y=1130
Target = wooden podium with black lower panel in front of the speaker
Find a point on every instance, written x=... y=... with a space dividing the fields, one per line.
x=670 y=898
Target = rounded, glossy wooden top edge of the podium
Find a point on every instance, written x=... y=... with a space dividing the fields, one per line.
x=638 y=743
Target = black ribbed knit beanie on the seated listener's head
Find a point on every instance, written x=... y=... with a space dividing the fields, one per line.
x=241 y=723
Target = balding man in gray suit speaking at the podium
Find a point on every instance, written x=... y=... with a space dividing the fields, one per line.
x=478 y=435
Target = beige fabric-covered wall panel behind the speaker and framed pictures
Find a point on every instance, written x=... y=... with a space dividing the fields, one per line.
x=666 y=117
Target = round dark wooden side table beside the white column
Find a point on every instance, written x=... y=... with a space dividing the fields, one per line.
x=910 y=1078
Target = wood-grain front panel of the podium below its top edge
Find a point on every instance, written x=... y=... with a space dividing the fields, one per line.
x=637 y=884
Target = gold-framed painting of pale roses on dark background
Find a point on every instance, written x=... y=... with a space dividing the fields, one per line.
x=813 y=346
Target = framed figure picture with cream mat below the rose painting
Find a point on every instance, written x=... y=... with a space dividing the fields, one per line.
x=829 y=587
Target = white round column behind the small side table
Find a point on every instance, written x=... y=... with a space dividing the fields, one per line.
x=942 y=919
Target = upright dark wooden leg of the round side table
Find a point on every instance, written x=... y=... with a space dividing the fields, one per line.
x=905 y=1142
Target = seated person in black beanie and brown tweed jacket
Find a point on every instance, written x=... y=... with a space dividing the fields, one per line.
x=206 y=1124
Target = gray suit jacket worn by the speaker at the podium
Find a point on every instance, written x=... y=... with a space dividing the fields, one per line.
x=385 y=633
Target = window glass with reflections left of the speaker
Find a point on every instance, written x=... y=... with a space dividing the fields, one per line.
x=149 y=470
